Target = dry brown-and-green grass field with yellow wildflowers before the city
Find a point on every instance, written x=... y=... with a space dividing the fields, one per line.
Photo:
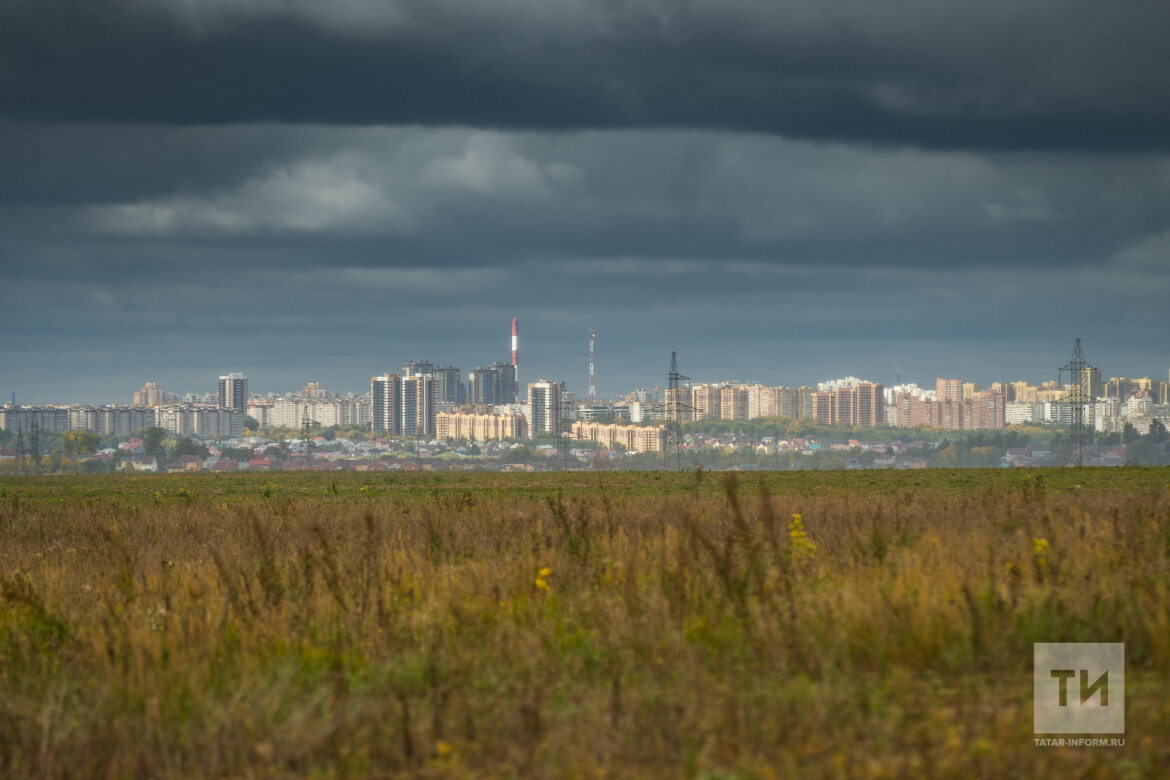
x=837 y=625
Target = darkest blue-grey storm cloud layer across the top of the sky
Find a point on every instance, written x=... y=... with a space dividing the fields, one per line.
x=992 y=75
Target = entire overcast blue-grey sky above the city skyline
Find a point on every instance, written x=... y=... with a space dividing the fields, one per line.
x=780 y=191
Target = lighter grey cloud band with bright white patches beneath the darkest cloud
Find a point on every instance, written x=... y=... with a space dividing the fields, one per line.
x=458 y=198
